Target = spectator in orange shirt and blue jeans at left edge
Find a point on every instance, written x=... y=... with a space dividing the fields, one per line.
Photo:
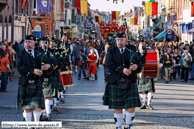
x=4 y=71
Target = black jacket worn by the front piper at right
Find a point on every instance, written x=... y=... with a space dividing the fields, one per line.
x=116 y=62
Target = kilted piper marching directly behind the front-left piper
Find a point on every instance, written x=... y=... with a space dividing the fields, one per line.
x=49 y=89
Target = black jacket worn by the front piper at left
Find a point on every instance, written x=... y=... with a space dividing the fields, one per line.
x=25 y=65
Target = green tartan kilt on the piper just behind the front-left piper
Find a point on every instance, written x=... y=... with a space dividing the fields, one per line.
x=50 y=91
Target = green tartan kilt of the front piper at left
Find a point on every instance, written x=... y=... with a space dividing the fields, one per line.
x=25 y=101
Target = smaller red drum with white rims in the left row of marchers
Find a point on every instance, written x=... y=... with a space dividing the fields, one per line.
x=67 y=78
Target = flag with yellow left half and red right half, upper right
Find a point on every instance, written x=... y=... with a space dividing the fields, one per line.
x=151 y=8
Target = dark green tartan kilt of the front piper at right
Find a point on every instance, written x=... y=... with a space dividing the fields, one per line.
x=116 y=98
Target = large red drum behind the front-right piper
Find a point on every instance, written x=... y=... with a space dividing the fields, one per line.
x=152 y=66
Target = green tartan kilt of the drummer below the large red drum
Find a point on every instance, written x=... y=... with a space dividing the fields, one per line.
x=145 y=84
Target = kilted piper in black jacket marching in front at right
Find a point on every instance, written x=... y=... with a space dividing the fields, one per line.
x=121 y=90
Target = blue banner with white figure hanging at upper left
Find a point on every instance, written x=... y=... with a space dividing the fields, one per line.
x=44 y=7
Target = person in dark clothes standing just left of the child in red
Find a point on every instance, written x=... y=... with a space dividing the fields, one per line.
x=82 y=60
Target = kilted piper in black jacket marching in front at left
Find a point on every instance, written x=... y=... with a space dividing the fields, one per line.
x=30 y=92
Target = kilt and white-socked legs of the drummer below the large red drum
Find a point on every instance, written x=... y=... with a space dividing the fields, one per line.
x=146 y=86
